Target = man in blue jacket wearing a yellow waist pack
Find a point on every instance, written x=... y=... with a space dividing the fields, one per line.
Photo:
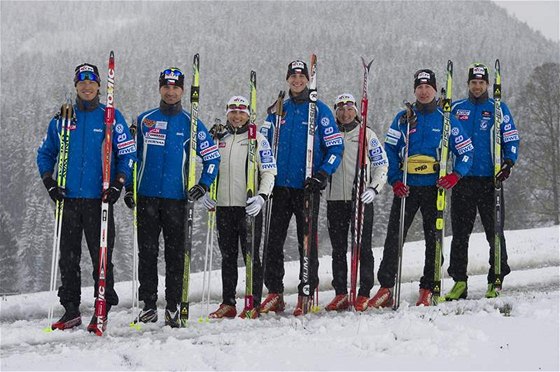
x=420 y=191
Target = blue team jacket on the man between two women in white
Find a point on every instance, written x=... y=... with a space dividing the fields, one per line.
x=292 y=142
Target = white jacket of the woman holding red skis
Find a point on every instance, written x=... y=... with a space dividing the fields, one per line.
x=342 y=181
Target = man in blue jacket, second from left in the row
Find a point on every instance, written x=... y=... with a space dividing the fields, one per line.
x=163 y=139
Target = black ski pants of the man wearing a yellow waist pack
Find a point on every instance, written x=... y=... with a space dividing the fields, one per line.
x=423 y=198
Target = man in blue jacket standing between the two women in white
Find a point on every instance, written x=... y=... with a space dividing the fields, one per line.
x=291 y=183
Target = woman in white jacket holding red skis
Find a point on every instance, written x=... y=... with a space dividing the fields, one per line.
x=339 y=204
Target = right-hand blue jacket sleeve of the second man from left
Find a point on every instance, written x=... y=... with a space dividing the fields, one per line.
x=208 y=151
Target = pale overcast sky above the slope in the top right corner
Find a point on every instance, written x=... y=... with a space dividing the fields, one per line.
x=543 y=16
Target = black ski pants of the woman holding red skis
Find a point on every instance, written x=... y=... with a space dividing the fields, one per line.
x=340 y=220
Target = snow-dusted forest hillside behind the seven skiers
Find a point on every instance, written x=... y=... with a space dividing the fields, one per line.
x=42 y=42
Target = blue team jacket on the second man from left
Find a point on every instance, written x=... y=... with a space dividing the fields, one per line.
x=163 y=154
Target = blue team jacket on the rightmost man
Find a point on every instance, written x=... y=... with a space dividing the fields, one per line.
x=478 y=121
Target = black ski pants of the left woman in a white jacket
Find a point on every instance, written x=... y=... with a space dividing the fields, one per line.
x=232 y=232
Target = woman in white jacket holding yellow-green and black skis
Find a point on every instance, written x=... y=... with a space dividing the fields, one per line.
x=233 y=205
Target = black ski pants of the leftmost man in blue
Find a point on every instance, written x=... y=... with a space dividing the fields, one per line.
x=84 y=215
